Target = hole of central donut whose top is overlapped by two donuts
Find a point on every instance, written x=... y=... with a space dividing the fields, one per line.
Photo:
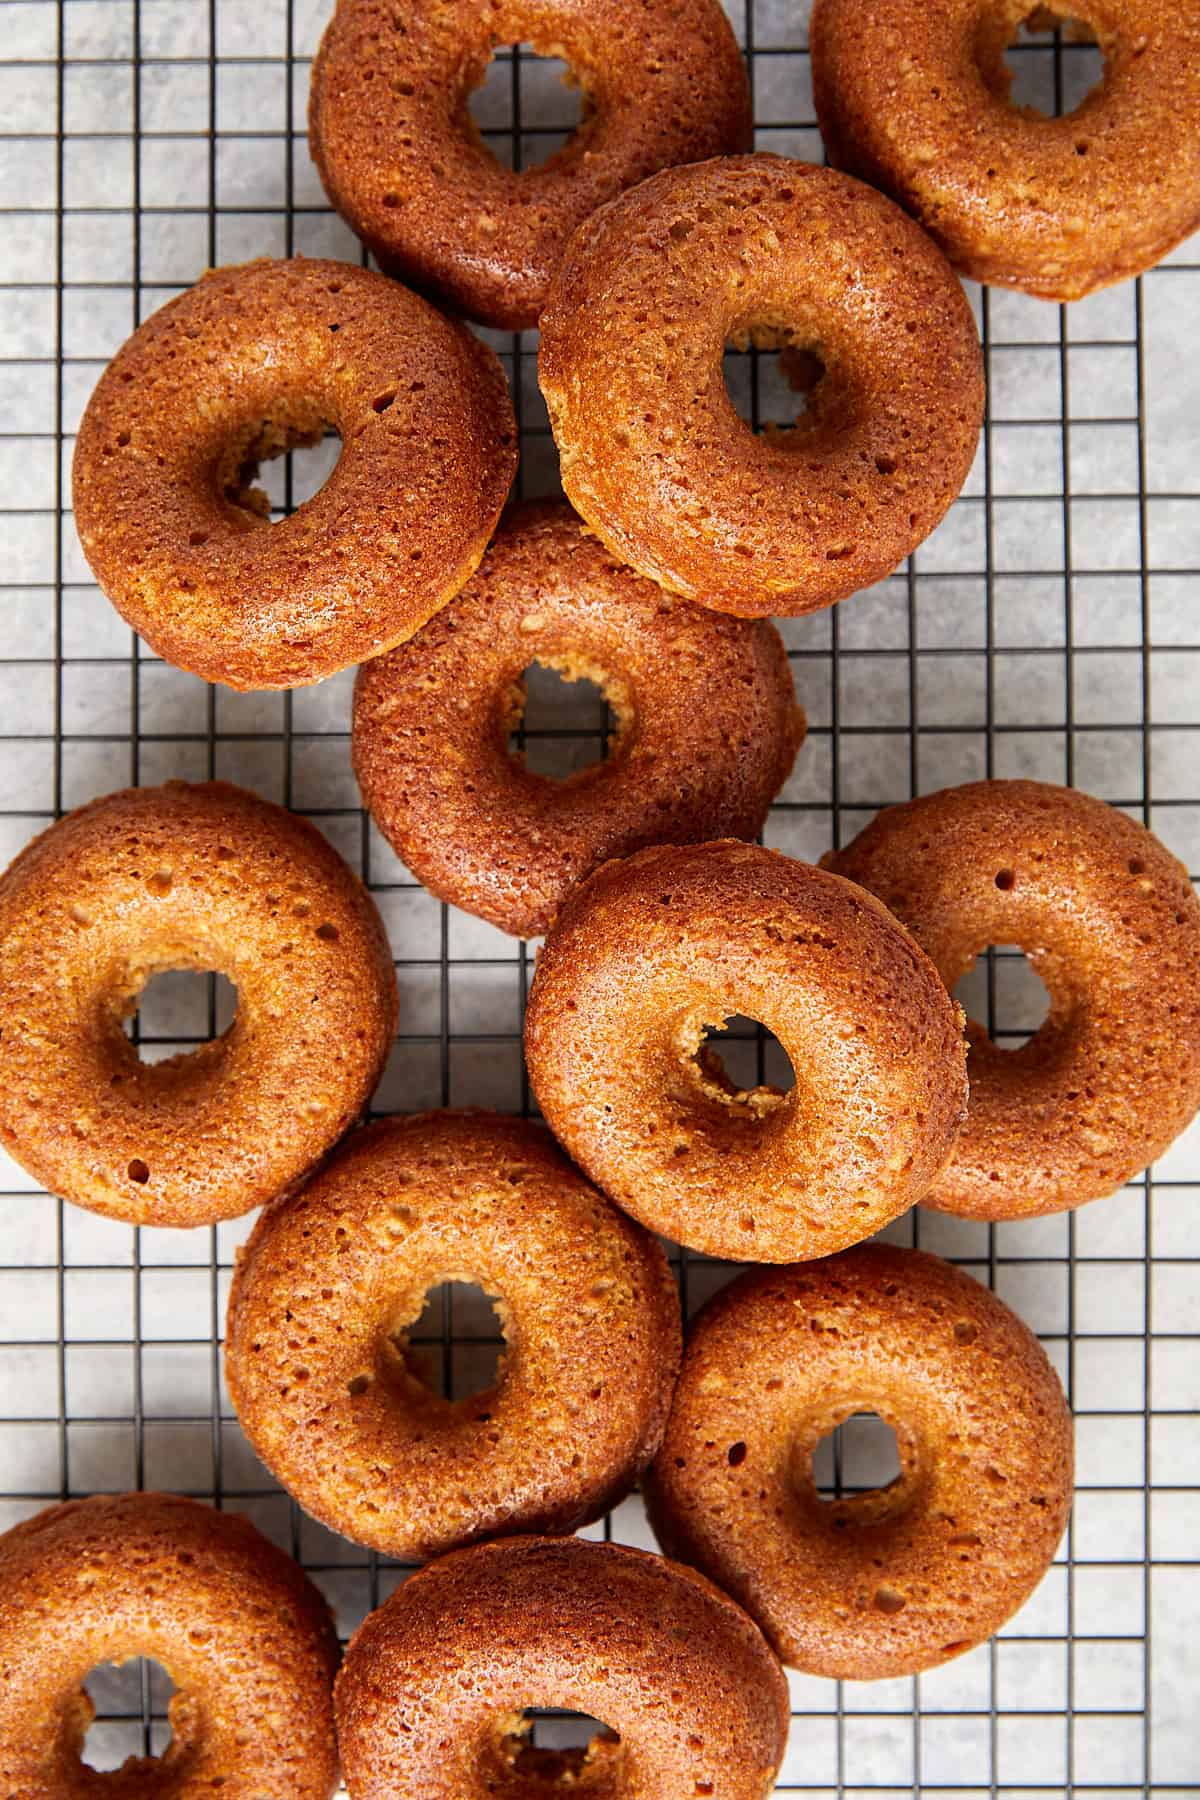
x=562 y=717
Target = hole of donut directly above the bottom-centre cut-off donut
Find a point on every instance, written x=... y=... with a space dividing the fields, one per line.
x=451 y=1353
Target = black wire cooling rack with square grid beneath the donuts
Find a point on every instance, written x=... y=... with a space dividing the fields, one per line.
x=1043 y=631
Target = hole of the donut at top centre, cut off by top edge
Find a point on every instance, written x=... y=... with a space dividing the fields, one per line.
x=526 y=107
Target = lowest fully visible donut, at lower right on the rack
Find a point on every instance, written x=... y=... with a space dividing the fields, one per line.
x=902 y=1578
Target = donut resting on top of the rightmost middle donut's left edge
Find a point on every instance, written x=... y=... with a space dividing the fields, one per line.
x=652 y=953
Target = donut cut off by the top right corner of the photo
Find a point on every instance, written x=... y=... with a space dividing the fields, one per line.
x=917 y=100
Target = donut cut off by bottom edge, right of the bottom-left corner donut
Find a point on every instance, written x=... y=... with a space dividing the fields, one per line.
x=433 y=1693
